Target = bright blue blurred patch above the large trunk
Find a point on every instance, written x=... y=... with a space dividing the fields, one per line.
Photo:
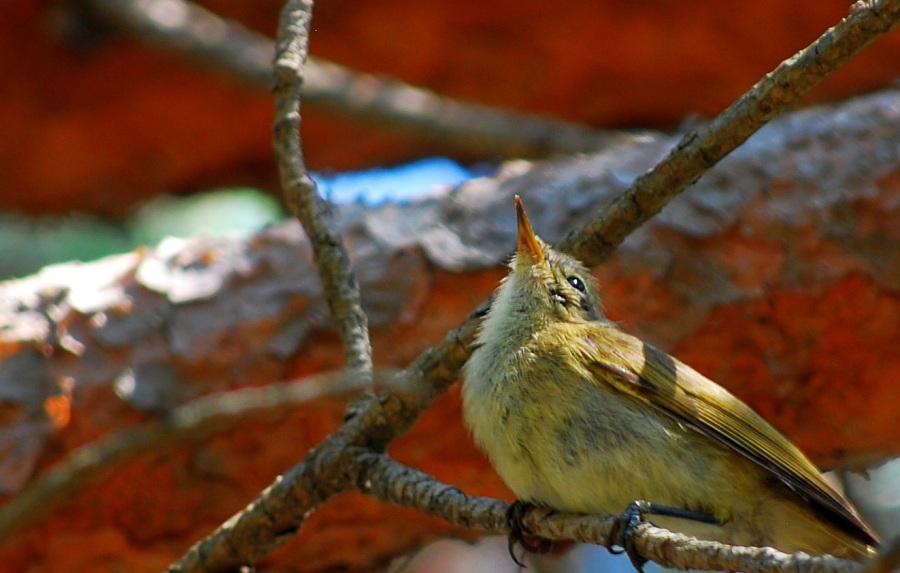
x=417 y=180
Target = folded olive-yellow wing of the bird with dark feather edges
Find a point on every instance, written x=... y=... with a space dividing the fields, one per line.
x=656 y=378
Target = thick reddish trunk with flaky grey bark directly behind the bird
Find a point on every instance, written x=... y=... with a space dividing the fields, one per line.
x=775 y=275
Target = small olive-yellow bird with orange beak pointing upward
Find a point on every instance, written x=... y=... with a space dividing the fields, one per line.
x=578 y=416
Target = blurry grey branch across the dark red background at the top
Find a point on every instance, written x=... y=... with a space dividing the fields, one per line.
x=226 y=45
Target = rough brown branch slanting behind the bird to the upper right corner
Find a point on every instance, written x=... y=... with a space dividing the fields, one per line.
x=325 y=472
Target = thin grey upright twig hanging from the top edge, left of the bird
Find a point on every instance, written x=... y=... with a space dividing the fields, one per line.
x=338 y=280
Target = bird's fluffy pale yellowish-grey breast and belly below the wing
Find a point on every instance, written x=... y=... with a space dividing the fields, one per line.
x=564 y=441
